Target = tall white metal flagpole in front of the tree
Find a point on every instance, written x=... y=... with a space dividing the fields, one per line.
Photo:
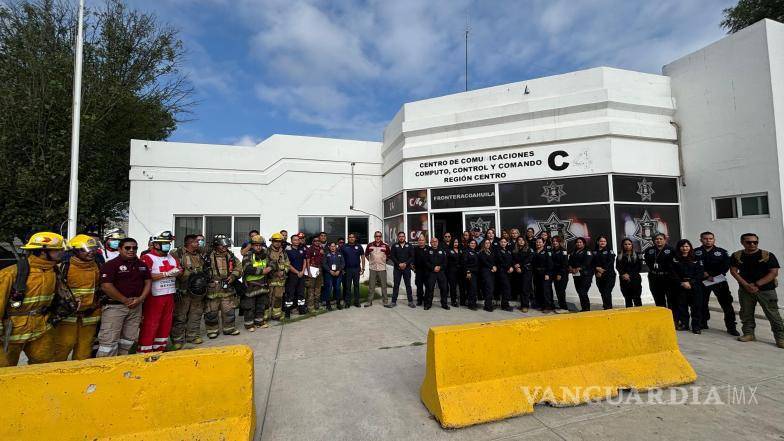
x=73 y=192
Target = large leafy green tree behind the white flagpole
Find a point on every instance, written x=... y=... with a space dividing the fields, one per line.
x=132 y=87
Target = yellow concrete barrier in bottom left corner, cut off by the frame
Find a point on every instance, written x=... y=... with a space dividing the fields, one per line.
x=204 y=394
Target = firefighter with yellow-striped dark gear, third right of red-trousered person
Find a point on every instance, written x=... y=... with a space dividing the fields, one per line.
x=256 y=300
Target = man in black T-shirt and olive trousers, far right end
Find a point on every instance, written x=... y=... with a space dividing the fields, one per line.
x=756 y=271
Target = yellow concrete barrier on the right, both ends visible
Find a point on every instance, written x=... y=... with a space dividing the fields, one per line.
x=482 y=372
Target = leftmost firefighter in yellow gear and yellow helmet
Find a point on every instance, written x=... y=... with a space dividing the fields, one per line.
x=25 y=326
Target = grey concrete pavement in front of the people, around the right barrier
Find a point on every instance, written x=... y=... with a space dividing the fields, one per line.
x=355 y=375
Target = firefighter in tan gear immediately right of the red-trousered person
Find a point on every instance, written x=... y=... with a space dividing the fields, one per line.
x=191 y=288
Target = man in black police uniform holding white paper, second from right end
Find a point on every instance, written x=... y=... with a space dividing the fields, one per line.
x=716 y=262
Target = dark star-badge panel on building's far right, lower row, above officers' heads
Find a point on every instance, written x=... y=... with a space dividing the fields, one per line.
x=641 y=222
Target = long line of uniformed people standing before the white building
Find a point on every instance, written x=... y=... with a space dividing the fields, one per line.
x=62 y=297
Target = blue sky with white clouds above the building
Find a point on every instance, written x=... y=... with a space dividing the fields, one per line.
x=343 y=68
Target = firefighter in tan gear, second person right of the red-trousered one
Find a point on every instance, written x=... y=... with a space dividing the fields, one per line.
x=225 y=269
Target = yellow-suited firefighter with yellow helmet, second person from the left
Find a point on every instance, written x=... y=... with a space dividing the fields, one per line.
x=81 y=275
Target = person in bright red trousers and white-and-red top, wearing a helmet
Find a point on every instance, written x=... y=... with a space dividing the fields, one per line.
x=158 y=310
